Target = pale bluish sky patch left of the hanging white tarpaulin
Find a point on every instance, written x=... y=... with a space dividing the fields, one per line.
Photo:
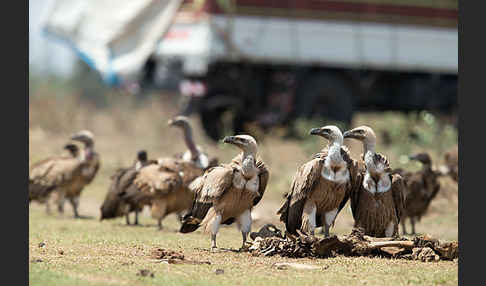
x=46 y=55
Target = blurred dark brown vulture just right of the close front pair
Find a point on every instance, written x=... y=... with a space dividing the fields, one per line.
x=420 y=189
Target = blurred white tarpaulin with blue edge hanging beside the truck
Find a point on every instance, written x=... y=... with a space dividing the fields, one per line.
x=115 y=37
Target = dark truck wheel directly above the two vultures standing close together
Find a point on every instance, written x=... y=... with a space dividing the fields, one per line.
x=327 y=96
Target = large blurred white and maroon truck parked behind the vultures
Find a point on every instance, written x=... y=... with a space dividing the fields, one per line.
x=243 y=62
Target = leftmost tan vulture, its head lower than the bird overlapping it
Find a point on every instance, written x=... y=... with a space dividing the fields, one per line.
x=55 y=173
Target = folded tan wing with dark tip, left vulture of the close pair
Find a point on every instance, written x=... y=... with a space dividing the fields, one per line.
x=304 y=181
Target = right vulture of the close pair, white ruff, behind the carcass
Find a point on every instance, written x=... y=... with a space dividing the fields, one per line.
x=377 y=199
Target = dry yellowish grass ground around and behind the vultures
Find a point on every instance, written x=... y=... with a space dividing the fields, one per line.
x=108 y=252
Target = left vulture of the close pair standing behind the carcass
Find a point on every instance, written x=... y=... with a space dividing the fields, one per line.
x=321 y=187
